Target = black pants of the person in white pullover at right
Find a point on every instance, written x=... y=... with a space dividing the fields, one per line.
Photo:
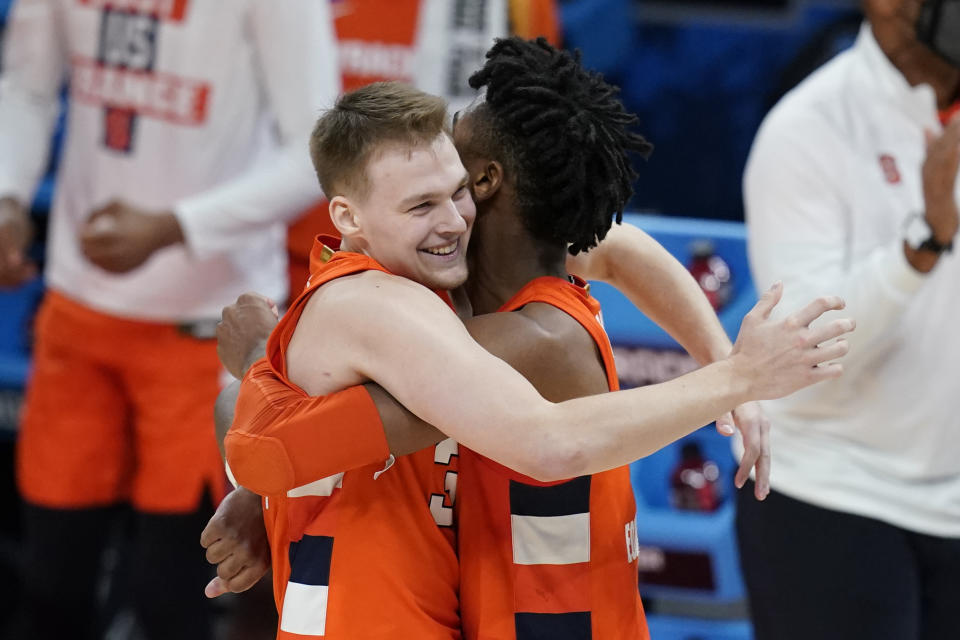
x=813 y=573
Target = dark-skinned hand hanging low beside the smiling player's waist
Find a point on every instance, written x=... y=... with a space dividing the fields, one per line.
x=236 y=541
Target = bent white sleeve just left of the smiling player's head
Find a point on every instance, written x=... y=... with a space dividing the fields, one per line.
x=296 y=52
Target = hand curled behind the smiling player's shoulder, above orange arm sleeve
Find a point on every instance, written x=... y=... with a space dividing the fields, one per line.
x=243 y=331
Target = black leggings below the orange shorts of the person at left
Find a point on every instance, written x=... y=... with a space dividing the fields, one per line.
x=161 y=574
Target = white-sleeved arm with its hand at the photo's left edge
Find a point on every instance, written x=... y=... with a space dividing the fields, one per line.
x=33 y=72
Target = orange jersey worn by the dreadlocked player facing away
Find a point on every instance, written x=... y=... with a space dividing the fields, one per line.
x=549 y=560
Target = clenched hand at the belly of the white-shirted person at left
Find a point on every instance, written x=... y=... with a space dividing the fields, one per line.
x=120 y=237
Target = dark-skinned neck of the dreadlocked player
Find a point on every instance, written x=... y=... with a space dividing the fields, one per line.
x=504 y=257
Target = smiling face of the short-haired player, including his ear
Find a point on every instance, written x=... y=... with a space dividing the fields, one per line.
x=415 y=218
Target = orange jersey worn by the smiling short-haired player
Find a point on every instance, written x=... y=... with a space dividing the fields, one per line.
x=370 y=552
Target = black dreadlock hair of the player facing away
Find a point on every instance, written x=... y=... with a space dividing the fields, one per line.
x=563 y=134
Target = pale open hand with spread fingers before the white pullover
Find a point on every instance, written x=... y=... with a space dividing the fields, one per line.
x=774 y=358
